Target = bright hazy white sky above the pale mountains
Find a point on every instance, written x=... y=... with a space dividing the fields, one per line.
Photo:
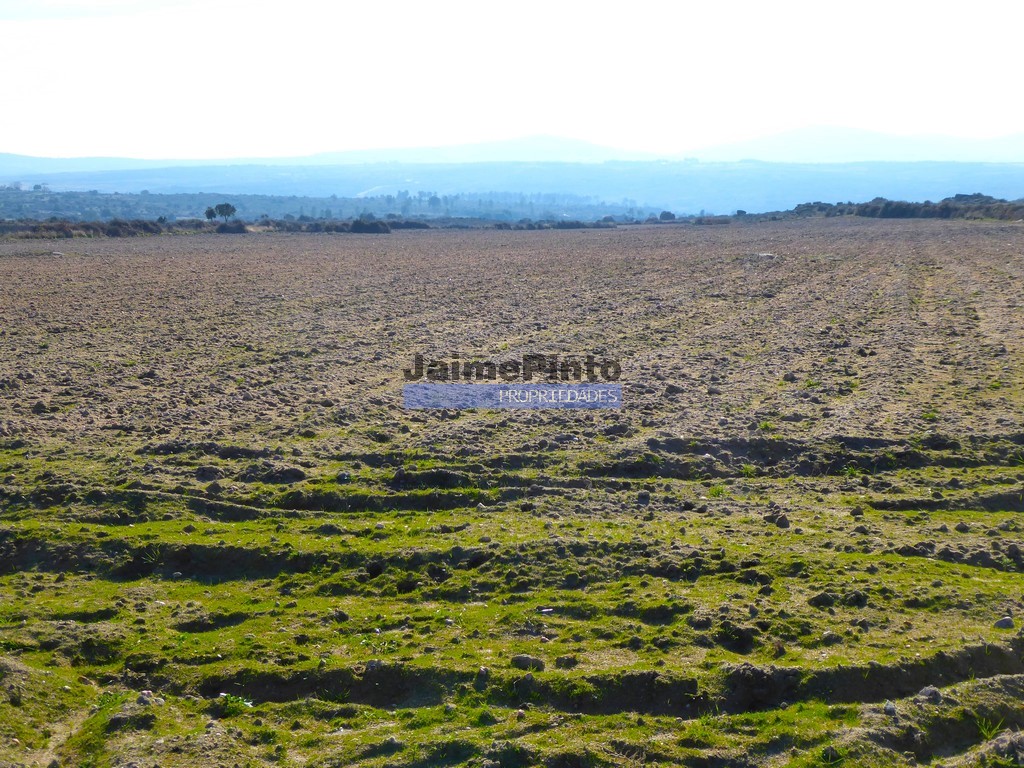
x=220 y=78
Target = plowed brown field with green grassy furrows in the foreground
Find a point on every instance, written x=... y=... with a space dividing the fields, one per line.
x=225 y=541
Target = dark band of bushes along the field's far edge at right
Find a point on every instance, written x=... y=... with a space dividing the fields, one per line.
x=958 y=207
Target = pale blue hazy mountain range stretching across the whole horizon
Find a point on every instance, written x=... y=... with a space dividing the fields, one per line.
x=767 y=175
